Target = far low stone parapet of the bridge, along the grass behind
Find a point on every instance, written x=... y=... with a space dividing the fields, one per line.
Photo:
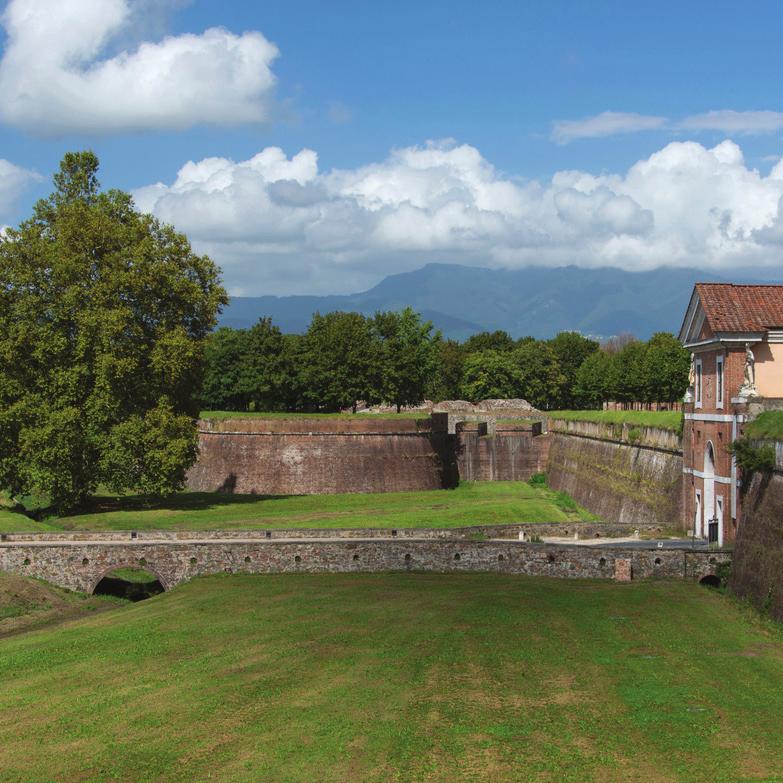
x=578 y=530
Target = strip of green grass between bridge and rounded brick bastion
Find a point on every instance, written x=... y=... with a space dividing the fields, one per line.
x=472 y=503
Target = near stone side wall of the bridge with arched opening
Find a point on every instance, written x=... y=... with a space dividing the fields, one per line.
x=80 y=566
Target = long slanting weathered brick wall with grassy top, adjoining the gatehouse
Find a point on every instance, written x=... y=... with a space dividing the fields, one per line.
x=621 y=482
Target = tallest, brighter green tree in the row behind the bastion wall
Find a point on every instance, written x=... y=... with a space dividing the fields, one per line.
x=408 y=356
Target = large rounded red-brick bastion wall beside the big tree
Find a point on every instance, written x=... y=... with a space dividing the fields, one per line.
x=321 y=456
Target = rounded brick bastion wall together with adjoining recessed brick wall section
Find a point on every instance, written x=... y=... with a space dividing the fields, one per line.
x=321 y=456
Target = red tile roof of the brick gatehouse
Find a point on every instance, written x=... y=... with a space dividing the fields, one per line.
x=741 y=308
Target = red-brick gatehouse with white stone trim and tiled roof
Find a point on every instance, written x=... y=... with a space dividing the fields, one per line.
x=735 y=335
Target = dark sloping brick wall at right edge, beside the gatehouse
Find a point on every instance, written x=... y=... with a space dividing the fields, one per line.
x=757 y=570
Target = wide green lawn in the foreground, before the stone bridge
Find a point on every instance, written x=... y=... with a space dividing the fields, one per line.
x=403 y=677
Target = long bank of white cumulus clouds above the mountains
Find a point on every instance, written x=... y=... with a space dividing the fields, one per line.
x=280 y=225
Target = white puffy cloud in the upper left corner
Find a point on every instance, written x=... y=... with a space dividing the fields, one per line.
x=56 y=78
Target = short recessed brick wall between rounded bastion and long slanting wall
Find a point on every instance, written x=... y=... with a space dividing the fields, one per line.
x=511 y=453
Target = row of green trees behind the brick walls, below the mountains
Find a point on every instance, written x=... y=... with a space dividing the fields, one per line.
x=397 y=358
